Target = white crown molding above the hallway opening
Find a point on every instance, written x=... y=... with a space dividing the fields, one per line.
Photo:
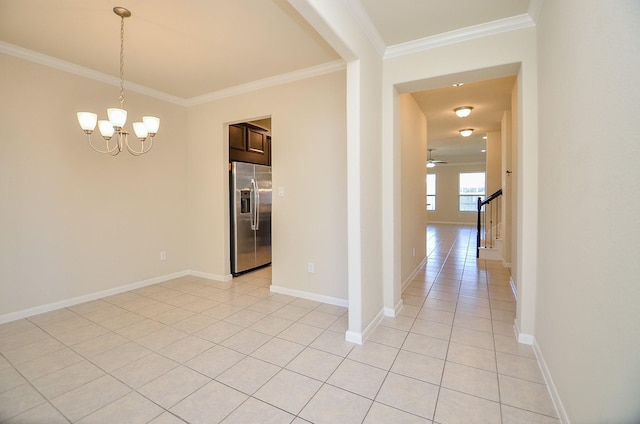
x=465 y=34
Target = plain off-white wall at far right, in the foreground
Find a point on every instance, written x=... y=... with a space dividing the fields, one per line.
x=587 y=324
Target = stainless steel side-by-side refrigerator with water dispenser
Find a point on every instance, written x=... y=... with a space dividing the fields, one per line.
x=250 y=201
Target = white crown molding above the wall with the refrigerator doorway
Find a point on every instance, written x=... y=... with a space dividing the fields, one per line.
x=289 y=77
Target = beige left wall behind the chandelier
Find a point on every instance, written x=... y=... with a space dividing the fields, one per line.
x=74 y=222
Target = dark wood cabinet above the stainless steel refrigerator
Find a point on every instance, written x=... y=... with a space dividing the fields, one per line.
x=249 y=143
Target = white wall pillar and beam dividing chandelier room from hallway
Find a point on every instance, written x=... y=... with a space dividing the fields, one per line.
x=334 y=21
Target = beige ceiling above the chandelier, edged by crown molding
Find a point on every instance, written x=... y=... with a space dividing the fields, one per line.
x=183 y=49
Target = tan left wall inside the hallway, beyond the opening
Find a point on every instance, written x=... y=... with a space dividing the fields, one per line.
x=414 y=171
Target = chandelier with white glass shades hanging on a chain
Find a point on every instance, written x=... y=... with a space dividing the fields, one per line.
x=144 y=130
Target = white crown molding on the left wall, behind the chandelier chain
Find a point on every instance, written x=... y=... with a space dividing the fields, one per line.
x=72 y=68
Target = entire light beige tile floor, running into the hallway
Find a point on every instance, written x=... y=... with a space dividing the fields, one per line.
x=197 y=351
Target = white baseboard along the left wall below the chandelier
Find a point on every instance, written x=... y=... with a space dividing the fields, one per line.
x=25 y=313
